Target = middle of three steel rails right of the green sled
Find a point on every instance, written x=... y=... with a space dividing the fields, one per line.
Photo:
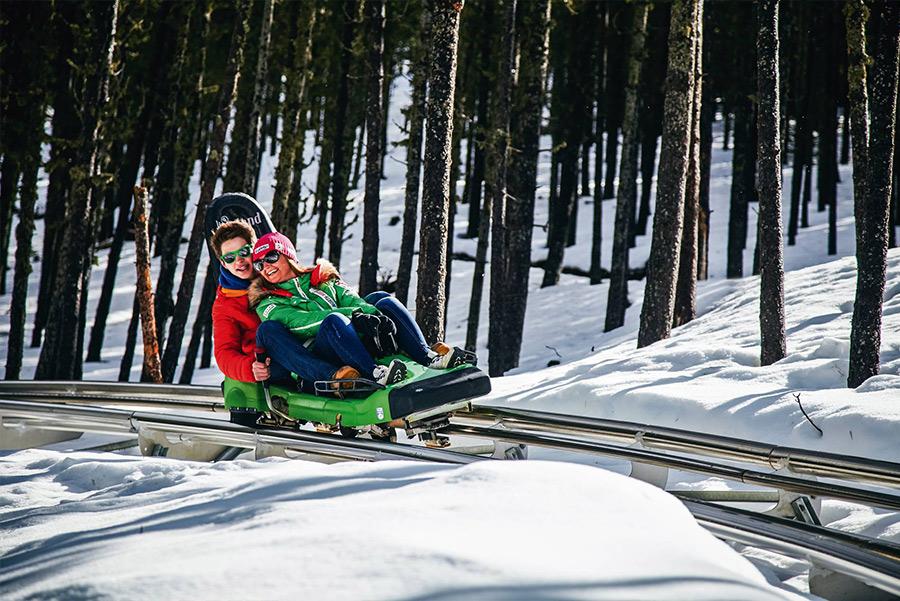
x=688 y=464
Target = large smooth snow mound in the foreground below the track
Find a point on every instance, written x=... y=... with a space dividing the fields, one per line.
x=89 y=525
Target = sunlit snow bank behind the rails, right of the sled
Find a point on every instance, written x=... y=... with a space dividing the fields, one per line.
x=707 y=376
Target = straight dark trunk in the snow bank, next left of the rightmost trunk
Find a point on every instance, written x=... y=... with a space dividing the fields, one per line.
x=773 y=346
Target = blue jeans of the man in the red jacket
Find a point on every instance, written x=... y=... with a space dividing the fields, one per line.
x=289 y=355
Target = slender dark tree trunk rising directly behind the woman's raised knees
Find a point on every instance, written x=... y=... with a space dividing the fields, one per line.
x=368 y=270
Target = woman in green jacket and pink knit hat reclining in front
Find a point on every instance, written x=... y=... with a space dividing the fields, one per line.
x=317 y=306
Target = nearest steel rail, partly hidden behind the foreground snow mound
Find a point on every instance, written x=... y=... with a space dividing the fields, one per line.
x=870 y=561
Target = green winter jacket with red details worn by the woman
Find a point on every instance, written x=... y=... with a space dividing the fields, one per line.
x=301 y=307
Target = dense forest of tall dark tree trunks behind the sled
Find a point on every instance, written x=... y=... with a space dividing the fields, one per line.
x=620 y=97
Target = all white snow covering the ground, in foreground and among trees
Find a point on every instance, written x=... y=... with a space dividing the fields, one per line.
x=83 y=525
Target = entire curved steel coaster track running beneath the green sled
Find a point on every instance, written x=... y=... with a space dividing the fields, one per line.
x=69 y=406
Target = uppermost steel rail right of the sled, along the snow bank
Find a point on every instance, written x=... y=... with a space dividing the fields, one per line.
x=799 y=461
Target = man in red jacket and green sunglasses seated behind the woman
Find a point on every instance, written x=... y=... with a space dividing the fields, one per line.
x=236 y=328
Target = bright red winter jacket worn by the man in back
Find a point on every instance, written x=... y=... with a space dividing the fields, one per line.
x=234 y=334
